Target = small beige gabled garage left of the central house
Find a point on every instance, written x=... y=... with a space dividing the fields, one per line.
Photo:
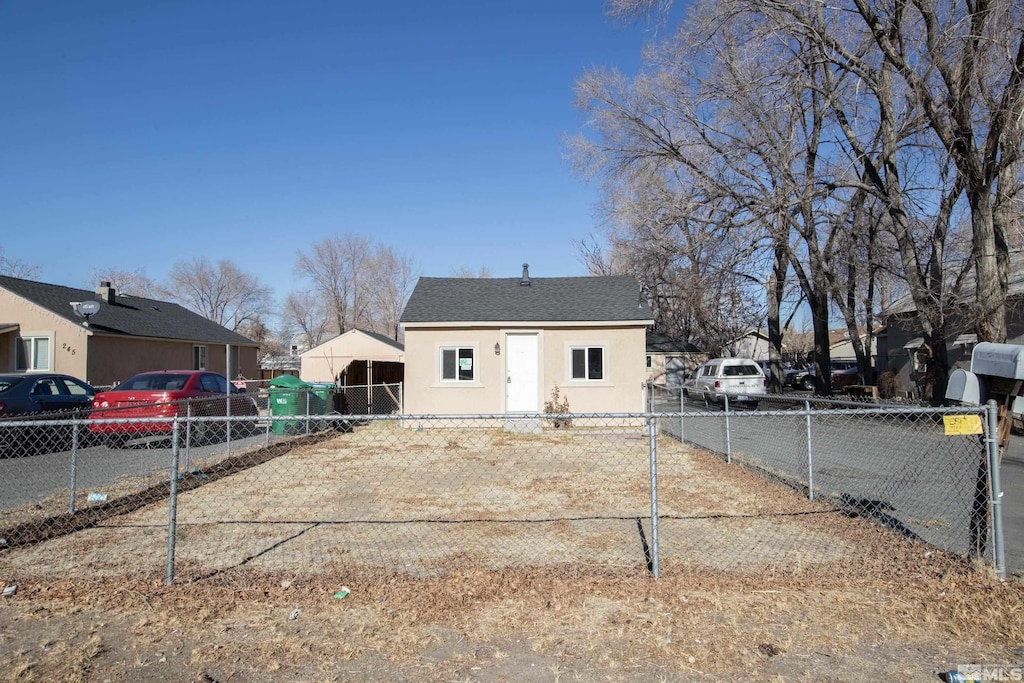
x=357 y=358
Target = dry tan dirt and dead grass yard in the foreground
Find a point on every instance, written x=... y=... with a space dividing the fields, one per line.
x=866 y=607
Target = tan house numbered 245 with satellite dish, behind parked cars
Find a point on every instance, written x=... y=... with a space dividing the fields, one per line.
x=40 y=331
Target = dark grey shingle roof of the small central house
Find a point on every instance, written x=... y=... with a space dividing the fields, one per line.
x=551 y=300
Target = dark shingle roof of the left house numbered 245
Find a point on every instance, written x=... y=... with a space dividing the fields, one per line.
x=130 y=316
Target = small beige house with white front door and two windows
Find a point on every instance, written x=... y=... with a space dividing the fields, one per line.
x=502 y=346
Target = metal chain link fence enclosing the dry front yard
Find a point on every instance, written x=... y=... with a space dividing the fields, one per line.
x=822 y=489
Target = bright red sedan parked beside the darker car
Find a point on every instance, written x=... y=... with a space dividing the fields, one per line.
x=165 y=395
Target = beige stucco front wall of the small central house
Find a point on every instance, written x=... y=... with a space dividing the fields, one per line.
x=620 y=392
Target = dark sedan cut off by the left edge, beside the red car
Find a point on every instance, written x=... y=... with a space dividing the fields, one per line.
x=49 y=396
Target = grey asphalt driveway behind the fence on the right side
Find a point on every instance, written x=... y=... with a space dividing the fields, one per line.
x=905 y=471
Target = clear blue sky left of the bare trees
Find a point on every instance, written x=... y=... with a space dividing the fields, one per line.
x=135 y=135
